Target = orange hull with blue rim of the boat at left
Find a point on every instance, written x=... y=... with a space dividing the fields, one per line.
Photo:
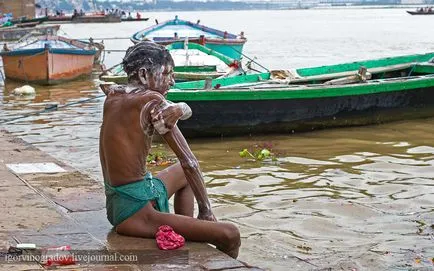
x=47 y=66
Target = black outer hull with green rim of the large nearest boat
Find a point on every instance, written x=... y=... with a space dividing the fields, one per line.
x=215 y=117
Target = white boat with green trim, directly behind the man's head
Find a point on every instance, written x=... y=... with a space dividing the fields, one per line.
x=192 y=62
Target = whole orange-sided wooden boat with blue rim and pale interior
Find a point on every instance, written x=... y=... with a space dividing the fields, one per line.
x=48 y=60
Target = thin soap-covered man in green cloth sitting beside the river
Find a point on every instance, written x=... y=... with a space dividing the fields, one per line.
x=137 y=203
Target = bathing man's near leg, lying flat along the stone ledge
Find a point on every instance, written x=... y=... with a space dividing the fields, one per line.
x=145 y=223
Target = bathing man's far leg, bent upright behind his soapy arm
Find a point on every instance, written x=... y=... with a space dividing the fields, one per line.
x=176 y=183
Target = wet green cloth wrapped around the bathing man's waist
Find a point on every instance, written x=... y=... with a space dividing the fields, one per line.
x=124 y=201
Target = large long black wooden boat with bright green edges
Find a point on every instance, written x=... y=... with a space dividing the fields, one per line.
x=307 y=99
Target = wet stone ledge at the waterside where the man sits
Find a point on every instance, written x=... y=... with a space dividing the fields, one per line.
x=68 y=209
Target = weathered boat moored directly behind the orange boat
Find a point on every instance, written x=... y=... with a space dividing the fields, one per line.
x=14 y=33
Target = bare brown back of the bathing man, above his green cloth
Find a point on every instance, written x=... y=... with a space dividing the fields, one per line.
x=125 y=164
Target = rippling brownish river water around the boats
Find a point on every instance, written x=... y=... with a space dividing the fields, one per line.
x=350 y=198
